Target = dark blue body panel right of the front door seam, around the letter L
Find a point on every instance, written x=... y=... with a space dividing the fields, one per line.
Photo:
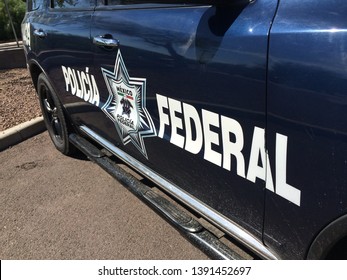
x=308 y=73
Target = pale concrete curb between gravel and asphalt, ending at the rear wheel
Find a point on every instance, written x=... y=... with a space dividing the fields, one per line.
x=21 y=132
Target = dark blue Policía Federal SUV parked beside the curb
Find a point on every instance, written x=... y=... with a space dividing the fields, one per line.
x=236 y=109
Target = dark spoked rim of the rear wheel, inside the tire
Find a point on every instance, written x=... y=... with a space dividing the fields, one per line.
x=52 y=115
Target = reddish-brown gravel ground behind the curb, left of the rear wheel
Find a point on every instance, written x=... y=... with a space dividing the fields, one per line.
x=18 y=101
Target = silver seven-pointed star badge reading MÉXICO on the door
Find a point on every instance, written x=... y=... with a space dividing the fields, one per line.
x=126 y=105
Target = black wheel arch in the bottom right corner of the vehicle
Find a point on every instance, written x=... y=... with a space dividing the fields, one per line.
x=329 y=241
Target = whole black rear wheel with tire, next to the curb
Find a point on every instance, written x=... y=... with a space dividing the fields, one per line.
x=53 y=116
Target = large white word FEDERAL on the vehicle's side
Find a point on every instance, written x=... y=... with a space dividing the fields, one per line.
x=222 y=139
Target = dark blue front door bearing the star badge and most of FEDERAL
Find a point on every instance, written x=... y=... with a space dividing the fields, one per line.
x=183 y=93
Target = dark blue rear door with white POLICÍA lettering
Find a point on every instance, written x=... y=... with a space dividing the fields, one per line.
x=61 y=46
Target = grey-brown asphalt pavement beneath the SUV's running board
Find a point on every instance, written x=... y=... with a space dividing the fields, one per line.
x=58 y=207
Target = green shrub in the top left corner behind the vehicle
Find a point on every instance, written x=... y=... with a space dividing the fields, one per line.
x=17 y=11
